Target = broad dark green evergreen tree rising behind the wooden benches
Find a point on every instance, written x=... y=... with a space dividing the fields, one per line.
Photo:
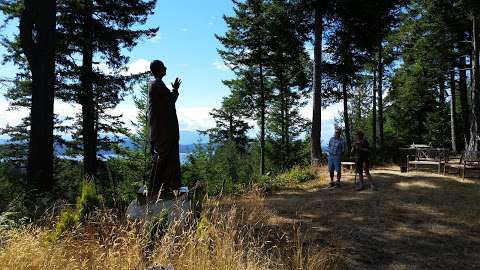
x=425 y=38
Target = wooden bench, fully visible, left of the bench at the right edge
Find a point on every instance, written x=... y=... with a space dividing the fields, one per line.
x=427 y=156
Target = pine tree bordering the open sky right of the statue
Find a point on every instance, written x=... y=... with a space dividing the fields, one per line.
x=245 y=50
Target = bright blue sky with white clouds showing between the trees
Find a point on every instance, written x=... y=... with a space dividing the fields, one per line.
x=188 y=47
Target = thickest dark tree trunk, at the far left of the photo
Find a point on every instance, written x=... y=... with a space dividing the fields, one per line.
x=37 y=39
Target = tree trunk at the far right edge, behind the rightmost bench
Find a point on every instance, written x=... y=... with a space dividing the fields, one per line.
x=473 y=145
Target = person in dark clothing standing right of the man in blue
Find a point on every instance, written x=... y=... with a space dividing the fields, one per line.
x=361 y=150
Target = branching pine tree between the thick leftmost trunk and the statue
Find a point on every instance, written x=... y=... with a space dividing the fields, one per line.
x=99 y=30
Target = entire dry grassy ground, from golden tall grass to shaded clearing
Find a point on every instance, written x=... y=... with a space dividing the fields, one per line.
x=414 y=221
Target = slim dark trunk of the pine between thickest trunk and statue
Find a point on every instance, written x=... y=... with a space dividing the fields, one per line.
x=87 y=97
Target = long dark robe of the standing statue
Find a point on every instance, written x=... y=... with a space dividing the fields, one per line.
x=164 y=136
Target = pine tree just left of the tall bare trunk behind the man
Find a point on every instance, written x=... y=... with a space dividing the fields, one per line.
x=289 y=70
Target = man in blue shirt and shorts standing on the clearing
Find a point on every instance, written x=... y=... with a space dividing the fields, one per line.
x=336 y=147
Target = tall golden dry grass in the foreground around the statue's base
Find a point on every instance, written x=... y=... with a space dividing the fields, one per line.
x=228 y=236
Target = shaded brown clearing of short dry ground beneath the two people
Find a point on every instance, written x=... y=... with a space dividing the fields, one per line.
x=413 y=221
